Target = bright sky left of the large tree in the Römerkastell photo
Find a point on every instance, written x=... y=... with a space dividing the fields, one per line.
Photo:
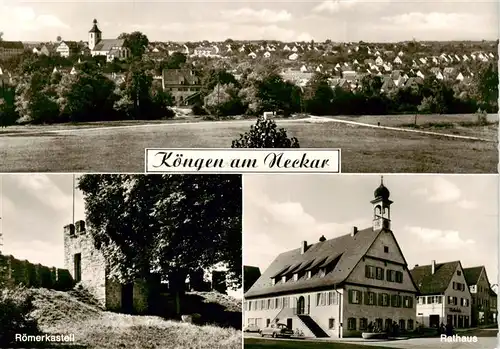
x=35 y=208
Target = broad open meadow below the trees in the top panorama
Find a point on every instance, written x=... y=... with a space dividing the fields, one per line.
x=121 y=149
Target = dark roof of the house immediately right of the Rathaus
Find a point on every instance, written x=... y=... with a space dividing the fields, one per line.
x=437 y=283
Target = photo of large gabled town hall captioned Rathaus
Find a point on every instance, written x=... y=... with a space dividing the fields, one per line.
x=348 y=260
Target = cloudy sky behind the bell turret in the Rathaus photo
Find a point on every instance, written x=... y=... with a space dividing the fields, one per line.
x=434 y=217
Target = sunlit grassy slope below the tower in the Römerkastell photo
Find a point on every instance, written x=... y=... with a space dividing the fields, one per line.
x=66 y=313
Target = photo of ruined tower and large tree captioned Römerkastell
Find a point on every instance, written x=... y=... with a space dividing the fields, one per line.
x=110 y=261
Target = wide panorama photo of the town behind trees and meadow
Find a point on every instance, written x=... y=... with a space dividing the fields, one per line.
x=399 y=86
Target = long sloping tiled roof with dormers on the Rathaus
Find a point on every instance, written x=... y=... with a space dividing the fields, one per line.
x=350 y=249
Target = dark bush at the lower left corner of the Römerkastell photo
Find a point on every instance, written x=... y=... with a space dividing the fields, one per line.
x=16 y=305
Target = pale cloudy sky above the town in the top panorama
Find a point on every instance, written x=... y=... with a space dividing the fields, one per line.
x=338 y=20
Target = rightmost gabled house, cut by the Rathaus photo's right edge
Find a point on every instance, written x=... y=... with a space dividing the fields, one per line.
x=479 y=287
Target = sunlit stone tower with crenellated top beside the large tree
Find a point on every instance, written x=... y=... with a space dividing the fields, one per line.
x=77 y=240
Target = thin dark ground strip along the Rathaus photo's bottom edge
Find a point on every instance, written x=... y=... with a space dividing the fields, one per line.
x=254 y=343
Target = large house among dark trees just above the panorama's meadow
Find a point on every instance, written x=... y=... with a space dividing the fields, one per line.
x=183 y=84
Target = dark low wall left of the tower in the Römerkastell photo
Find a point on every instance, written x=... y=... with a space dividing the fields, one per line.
x=17 y=272
